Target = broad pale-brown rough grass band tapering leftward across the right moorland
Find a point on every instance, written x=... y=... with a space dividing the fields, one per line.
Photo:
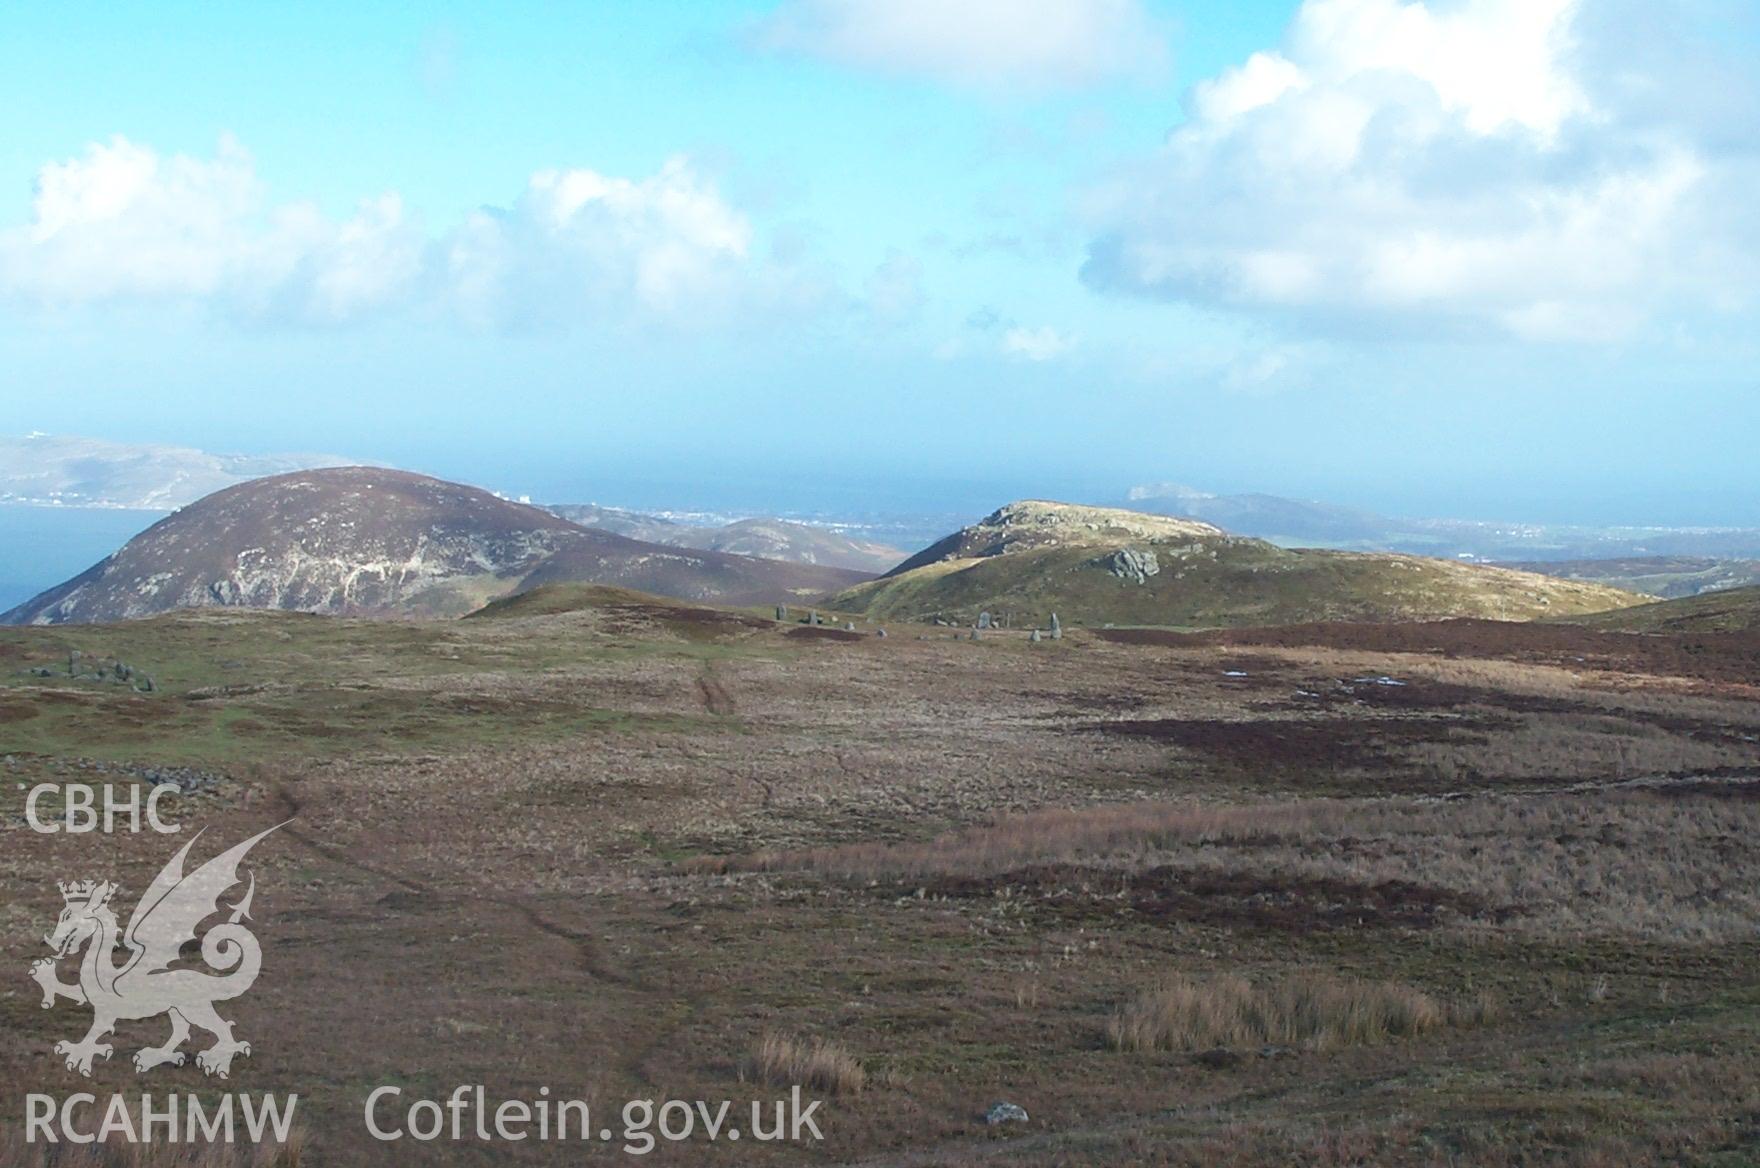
x=1618 y=861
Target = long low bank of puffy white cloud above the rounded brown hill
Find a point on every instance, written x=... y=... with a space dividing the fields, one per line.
x=124 y=223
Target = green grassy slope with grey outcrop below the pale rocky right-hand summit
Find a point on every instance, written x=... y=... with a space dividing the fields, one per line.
x=1217 y=581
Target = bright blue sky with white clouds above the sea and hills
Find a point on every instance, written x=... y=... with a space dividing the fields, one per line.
x=1463 y=258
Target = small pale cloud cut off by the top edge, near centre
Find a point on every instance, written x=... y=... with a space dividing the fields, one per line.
x=976 y=43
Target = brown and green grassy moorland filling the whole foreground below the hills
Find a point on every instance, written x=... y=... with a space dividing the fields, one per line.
x=1448 y=894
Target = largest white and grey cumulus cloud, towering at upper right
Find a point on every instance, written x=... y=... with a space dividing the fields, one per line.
x=1472 y=166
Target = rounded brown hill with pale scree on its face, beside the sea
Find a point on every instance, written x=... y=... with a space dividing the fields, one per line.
x=379 y=543
